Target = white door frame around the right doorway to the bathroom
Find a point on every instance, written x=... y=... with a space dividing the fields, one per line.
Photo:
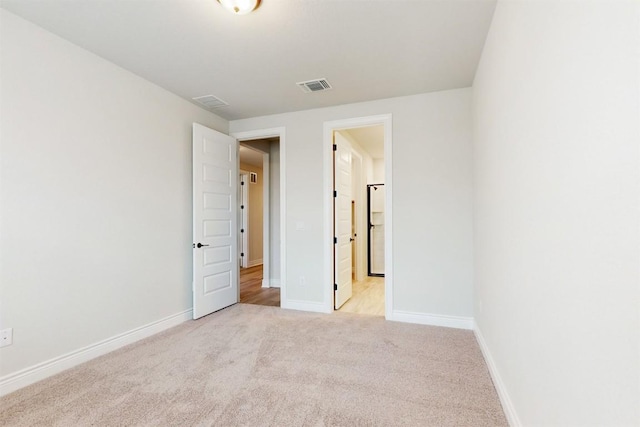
x=328 y=129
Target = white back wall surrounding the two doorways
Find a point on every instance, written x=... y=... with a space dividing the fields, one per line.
x=431 y=195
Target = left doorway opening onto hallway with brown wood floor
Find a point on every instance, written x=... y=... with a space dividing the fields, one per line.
x=257 y=283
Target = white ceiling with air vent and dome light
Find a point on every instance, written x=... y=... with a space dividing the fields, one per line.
x=366 y=49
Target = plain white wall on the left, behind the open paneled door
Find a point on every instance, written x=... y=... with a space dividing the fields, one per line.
x=96 y=197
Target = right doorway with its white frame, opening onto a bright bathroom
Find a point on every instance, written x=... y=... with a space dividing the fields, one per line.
x=357 y=154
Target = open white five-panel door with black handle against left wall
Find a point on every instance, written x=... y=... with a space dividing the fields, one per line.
x=215 y=247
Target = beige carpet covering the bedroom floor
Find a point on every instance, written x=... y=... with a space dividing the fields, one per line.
x=264 y=366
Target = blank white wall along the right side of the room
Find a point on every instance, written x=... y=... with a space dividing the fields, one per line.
x=557 y=209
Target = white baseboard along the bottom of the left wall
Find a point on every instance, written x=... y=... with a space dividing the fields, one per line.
x=35 y=373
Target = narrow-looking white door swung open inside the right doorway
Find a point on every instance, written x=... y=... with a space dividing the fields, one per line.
x=342 y=269
